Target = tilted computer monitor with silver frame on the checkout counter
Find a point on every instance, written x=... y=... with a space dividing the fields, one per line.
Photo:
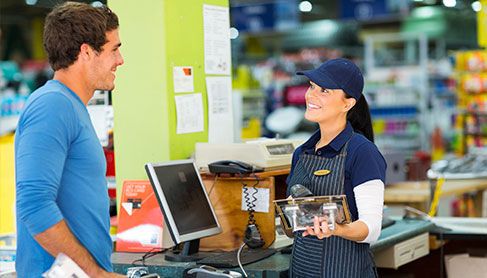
x=188 y=214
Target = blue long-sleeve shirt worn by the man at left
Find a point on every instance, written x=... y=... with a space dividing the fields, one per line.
x=60 y=174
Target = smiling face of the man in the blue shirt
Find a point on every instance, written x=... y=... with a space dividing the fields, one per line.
x=106 y=62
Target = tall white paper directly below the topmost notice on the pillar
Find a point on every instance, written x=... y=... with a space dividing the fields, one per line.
x=220 y=114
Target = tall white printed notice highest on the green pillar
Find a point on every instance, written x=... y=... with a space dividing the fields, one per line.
x=216 y=26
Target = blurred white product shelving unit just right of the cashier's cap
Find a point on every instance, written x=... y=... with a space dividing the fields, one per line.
x=396 y=90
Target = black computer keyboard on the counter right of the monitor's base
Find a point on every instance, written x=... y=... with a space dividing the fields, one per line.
x=229 y=259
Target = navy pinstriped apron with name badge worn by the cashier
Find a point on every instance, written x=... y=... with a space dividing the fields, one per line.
x=333 y=256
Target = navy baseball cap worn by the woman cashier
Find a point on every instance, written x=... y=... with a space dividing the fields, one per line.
x=338 y=74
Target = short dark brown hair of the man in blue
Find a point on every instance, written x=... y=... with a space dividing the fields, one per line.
x=71 y=24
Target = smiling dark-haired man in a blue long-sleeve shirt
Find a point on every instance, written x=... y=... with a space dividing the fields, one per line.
x=62 y=199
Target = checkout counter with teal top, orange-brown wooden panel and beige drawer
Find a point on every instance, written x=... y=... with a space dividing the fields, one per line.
x=405 y=241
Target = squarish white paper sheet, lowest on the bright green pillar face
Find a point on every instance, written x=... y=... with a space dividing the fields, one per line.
x=189 y=112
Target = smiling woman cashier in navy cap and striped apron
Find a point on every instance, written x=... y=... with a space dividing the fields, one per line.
x=344 y=146
